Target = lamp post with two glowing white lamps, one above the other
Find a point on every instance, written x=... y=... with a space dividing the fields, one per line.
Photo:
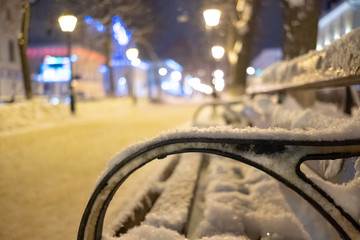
x=212 y=19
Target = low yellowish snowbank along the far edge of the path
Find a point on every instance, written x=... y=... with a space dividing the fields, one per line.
x=39 y=113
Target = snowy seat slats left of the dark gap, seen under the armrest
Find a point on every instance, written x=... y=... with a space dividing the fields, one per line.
x=164 y=202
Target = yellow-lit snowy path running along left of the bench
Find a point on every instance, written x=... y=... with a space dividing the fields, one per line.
x=48 y=174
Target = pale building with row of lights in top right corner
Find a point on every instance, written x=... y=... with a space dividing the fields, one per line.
x=337 y=22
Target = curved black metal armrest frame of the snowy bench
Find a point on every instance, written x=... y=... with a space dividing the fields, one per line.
x=247 y=151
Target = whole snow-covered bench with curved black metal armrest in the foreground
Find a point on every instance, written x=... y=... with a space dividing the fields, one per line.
x=278 y=151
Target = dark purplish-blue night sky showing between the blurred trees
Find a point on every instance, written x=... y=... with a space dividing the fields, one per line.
x=180 y=29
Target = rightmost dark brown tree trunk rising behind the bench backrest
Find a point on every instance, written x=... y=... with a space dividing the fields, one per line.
x=300 y=27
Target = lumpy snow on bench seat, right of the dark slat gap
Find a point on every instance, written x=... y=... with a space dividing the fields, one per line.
x=243 y=201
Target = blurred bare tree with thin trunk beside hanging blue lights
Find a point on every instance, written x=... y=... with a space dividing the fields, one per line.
x=137 y=16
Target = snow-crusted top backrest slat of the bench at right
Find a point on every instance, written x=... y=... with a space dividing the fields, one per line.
x=338 y=61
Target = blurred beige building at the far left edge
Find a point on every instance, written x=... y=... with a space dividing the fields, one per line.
x=11 y=84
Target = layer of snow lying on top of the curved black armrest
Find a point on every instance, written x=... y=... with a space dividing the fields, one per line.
x=339 y=130
